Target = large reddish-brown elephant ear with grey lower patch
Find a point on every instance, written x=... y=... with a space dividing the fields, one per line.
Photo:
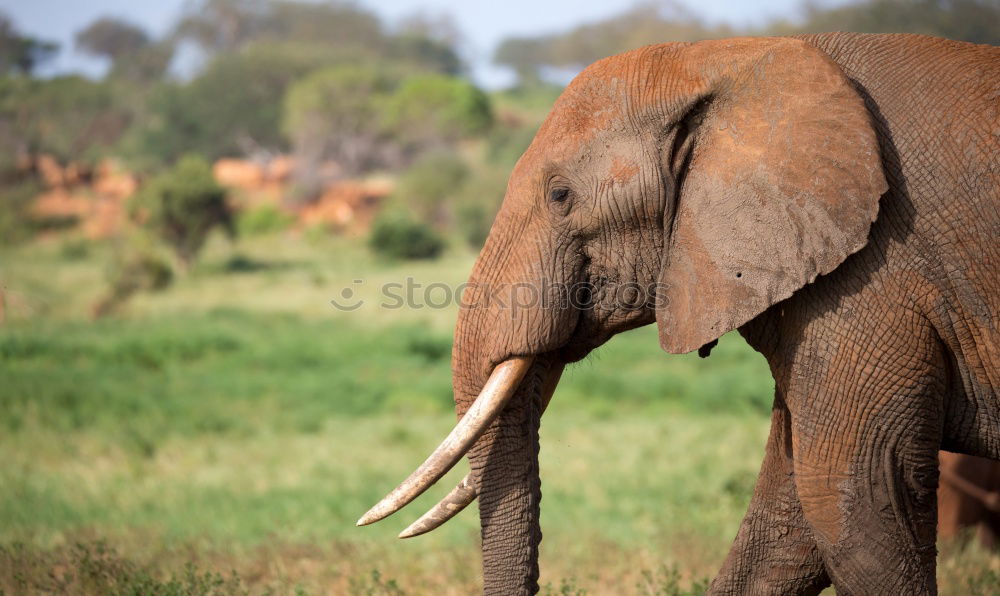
x=778 y=180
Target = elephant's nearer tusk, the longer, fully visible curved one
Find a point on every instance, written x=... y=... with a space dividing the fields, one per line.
x=497 y=391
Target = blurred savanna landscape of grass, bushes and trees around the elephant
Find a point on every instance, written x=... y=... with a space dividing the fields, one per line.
x=170 y=396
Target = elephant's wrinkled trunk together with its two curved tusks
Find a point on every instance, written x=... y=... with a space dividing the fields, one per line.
x=504 y=321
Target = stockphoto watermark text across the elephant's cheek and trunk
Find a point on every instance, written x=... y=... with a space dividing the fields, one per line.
x=413 y=295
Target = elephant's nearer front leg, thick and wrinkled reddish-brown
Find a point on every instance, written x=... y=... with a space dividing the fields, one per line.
x=866 y=471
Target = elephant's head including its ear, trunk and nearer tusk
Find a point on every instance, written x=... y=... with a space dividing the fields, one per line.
x=694 y=185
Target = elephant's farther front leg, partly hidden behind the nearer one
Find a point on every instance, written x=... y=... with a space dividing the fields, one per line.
x=774 y=551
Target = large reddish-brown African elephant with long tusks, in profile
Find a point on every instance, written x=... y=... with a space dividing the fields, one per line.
x=835 y=198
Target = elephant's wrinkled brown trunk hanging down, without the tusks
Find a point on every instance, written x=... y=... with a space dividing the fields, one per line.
x=505 y=314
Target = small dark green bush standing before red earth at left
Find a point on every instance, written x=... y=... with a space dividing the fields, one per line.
x=183 y=205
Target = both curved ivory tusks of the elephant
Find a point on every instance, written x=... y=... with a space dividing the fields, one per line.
x=503 y=383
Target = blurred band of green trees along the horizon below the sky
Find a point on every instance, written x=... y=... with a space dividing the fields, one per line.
x=343 y=94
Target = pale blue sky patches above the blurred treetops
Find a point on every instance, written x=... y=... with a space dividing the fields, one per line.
x=483 y=23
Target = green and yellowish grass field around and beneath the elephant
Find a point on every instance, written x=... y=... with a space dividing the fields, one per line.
x=224 y=435
